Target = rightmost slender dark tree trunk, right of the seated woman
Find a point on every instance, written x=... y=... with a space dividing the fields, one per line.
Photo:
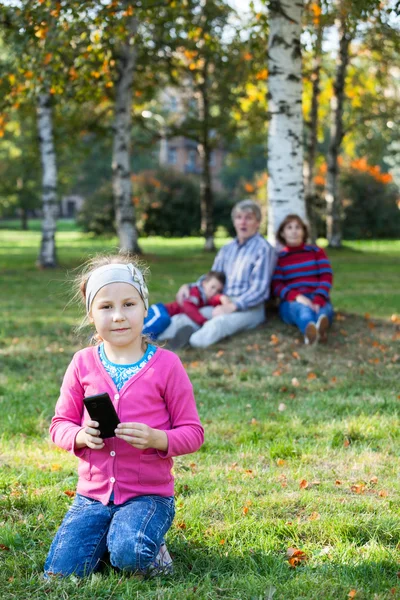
x=333 y=213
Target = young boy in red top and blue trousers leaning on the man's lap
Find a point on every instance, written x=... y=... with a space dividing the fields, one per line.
x=207 y=292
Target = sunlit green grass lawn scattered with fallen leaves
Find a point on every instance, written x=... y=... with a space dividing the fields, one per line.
x=301 y=447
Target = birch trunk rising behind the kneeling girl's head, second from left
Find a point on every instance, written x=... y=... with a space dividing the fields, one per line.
x=121 y=170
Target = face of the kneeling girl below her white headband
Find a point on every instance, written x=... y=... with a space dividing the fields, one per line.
x=118 y=312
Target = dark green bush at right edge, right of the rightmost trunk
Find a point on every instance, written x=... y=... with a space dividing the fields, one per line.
x=370 y=207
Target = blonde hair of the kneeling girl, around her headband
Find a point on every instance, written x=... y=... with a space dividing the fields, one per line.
x=93 y=263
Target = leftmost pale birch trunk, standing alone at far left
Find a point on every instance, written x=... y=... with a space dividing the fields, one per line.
x=47 y=256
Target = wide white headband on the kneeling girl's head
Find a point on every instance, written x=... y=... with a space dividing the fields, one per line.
x=115 y=273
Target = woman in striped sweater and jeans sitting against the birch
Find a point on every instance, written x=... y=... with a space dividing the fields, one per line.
x=303 y=280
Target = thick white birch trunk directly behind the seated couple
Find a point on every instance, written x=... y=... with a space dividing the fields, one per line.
x=285 y=136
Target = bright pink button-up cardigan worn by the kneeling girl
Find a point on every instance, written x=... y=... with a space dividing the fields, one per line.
x=159 y=395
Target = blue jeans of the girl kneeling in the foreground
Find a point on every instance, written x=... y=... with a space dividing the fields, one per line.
x=131 y=532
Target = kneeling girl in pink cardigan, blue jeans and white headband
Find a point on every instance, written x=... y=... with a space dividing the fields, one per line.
x=124 y=502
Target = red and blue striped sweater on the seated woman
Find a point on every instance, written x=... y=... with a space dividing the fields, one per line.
x=302 y=269
